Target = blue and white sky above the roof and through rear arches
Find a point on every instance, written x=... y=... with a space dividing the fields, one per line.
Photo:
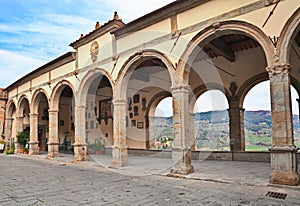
x=35 y=32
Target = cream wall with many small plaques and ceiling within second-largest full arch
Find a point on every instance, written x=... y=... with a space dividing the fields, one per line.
x=148 y=81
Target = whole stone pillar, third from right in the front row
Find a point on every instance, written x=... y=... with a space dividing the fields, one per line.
x=119 y=153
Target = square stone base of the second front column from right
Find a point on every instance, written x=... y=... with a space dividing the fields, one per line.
x=182 y=159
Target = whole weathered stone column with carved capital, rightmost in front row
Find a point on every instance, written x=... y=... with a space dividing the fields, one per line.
x=283 y=151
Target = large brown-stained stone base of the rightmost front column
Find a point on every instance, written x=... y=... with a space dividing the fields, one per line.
x=284 y=166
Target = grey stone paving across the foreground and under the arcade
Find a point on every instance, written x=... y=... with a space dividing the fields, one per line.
x=33 y=180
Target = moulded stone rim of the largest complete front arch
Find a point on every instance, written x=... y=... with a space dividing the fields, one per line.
x=219 y=29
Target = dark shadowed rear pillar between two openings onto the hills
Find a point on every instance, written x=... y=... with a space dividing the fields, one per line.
x=236 y=125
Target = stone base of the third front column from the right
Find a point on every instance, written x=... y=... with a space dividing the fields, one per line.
x=120 y=157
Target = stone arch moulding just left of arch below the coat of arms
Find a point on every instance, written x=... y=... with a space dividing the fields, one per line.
x=56 y=92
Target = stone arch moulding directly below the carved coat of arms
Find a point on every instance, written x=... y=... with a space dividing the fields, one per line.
x=87 y=81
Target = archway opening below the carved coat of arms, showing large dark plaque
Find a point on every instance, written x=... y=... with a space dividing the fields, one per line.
x=99 y=116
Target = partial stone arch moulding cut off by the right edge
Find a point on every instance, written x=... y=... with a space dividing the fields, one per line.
x=292 y=27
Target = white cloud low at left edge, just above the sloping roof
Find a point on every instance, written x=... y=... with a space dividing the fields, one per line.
x=14 y=66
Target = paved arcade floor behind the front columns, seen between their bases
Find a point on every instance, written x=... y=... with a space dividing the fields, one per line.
x=237 y=172
